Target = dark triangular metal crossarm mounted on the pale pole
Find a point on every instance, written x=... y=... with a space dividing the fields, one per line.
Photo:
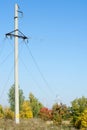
x=20 y=35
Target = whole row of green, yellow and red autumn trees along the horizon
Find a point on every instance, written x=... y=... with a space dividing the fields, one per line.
x=60 y=114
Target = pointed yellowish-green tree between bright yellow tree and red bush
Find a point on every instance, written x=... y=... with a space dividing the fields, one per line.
x=35 y=105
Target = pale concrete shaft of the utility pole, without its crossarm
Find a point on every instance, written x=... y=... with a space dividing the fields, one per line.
x=16 y=66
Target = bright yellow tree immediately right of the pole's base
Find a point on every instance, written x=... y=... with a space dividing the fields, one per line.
x=26 y=111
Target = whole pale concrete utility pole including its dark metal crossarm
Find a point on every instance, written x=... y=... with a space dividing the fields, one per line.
x=16 y=34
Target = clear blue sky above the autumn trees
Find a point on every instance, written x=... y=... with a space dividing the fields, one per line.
x=58 y=42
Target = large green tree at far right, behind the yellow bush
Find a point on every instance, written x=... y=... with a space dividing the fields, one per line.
x=77 y=108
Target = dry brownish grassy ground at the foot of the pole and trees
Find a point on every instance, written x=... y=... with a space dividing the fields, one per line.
x=31 y=124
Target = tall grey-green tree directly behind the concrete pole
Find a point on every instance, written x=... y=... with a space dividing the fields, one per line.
x=11 y=97
